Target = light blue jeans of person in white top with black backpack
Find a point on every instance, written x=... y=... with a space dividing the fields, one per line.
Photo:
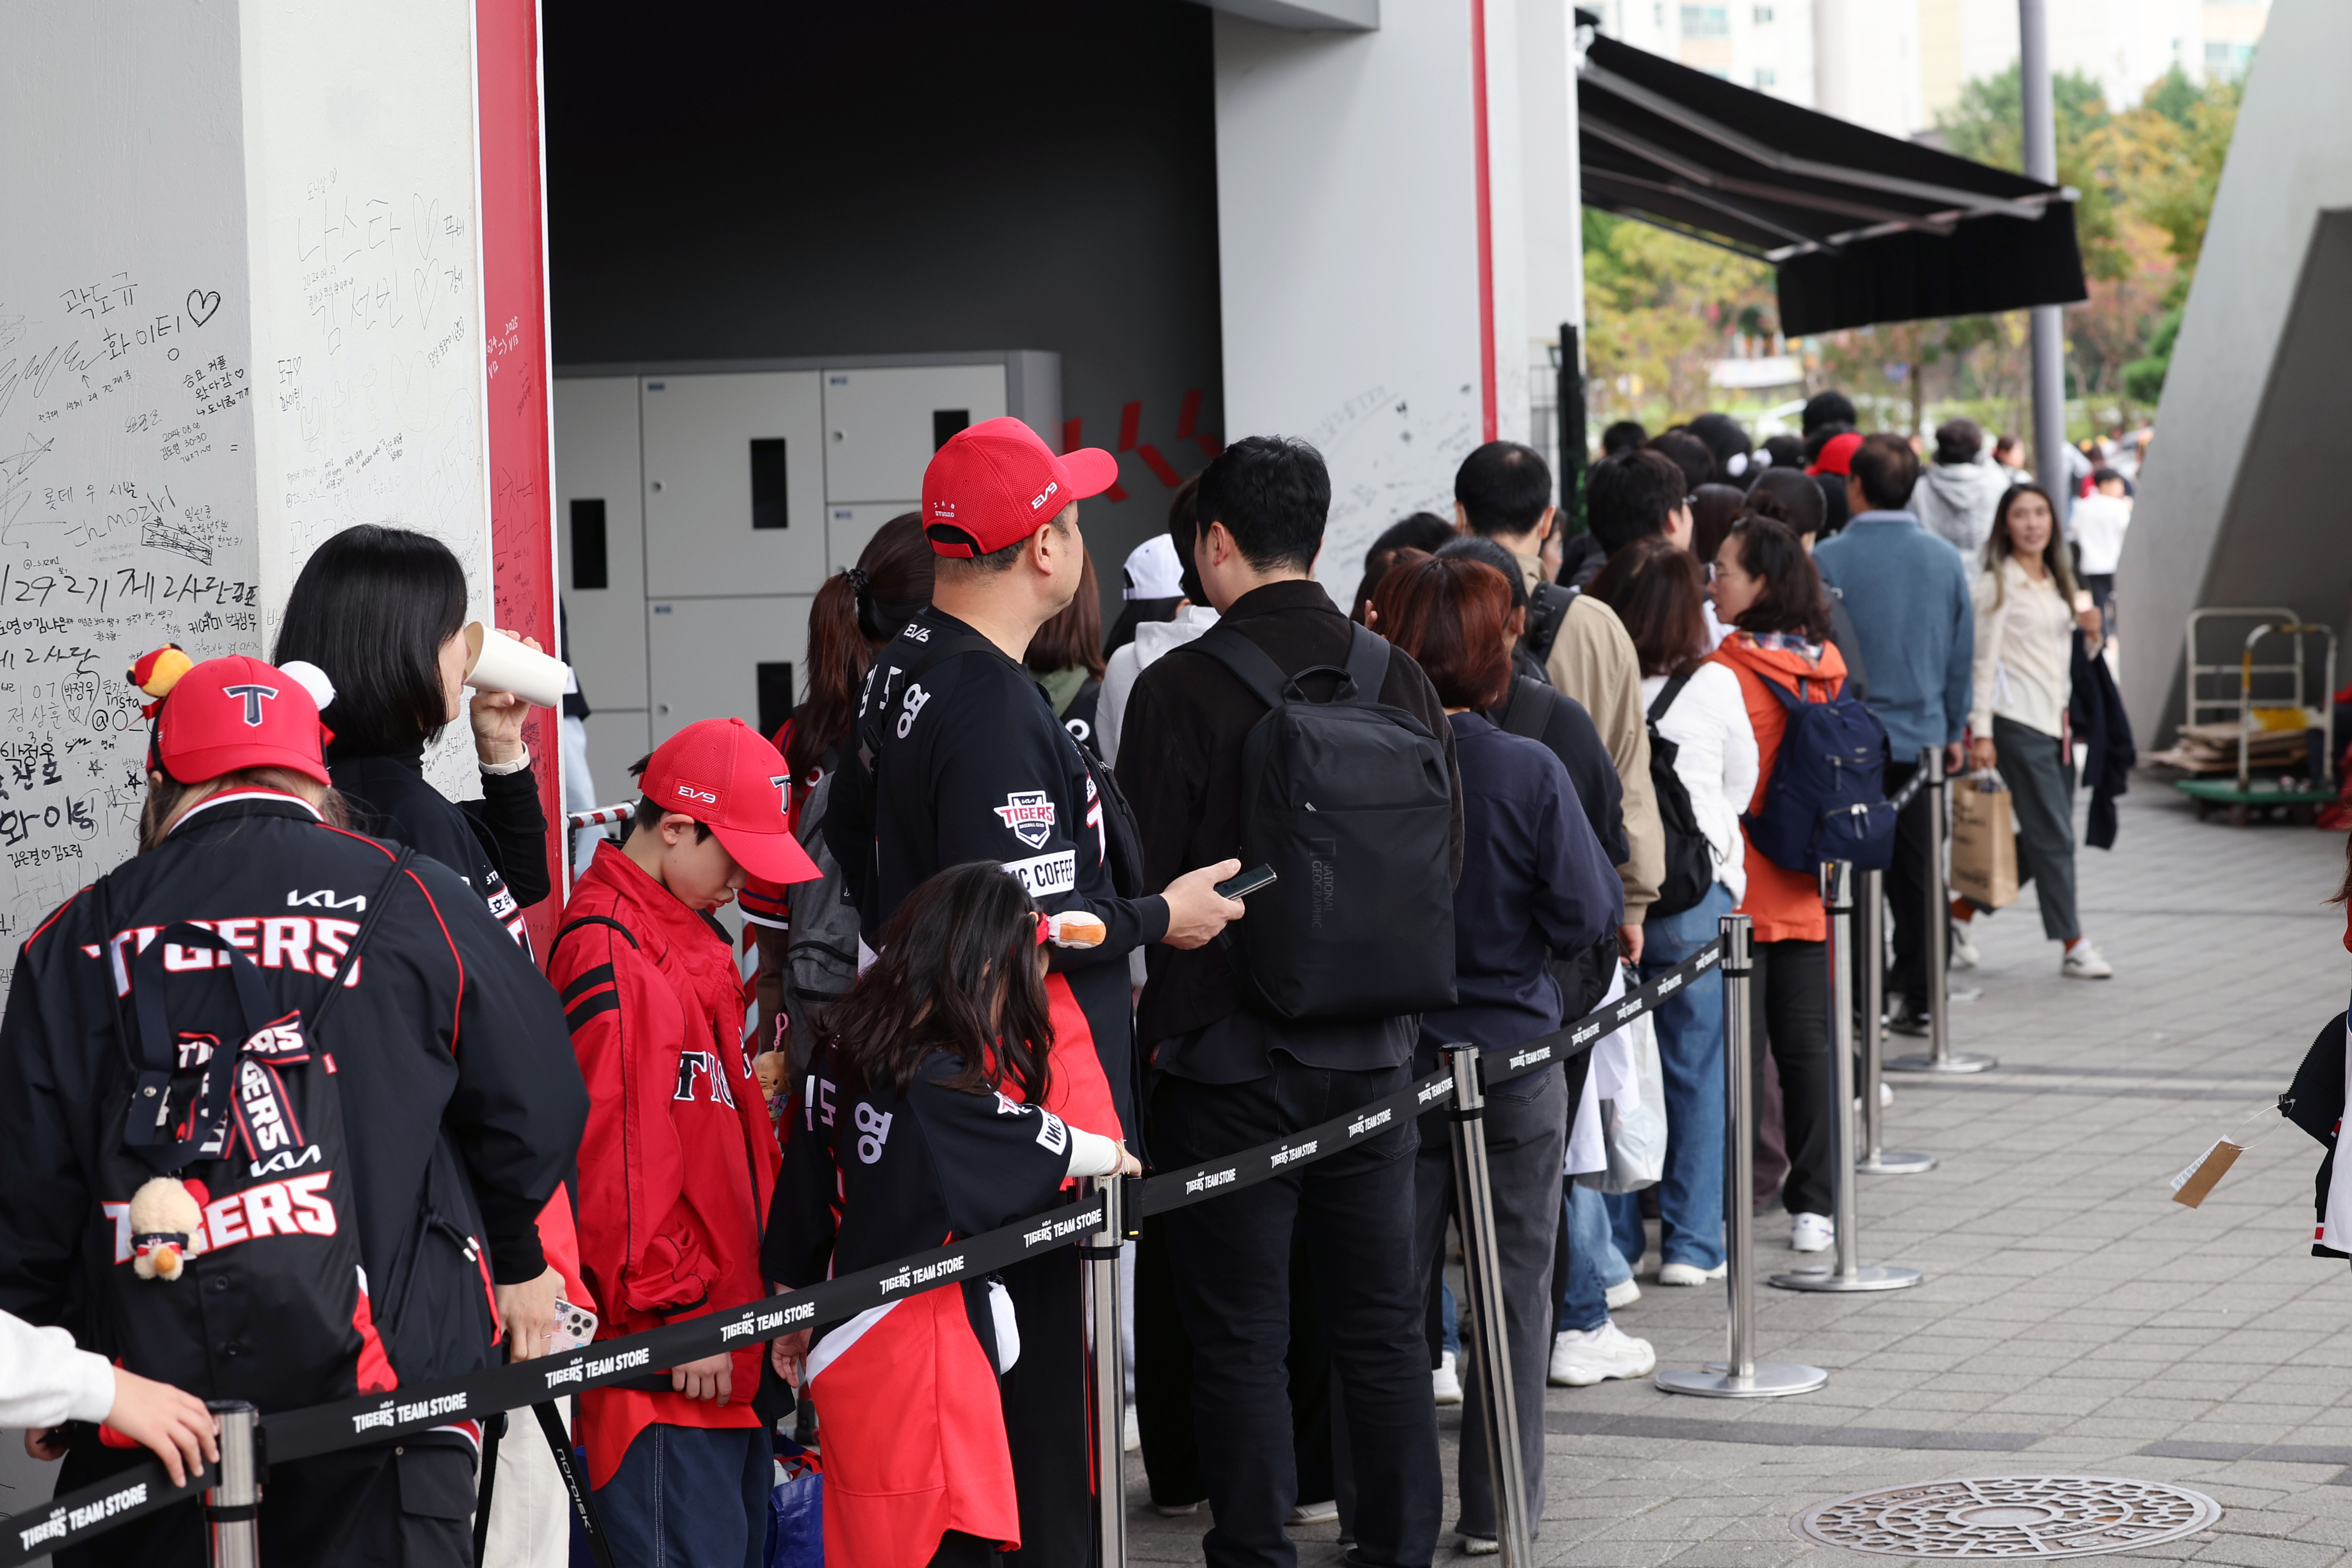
x=1692 y=1061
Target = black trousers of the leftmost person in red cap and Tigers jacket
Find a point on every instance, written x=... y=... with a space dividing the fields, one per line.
x=394 y=1506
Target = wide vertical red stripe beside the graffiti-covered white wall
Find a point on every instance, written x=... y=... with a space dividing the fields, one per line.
x=516 y=344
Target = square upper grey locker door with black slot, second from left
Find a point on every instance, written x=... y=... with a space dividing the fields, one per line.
x=735 y=495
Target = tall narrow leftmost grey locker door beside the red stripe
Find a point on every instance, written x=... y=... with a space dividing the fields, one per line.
x=601 y=537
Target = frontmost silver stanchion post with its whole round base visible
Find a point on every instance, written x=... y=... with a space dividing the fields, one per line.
x=1742 y=1376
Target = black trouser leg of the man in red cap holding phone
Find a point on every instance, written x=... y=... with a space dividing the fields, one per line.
x=1048 y=1419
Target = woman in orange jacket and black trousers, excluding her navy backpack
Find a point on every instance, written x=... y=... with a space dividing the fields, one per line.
x=1768 y=591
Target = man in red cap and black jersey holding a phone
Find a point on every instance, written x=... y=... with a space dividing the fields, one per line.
x=961 y=758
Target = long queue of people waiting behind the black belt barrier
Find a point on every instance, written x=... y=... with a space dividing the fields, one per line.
x=1499 y=789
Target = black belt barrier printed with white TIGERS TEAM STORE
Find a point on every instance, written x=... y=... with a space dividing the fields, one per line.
x=382 y=1419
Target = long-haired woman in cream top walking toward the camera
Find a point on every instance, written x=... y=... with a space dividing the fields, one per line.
x=2026 y=615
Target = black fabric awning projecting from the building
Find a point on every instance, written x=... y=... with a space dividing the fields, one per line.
x=1862 y=227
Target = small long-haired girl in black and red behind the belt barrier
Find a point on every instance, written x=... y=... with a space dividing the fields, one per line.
x=921 y=1125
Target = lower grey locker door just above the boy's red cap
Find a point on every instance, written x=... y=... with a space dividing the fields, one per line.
x=737 y=657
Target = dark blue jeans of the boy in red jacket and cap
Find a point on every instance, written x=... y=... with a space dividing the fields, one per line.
x=690 y=1499
